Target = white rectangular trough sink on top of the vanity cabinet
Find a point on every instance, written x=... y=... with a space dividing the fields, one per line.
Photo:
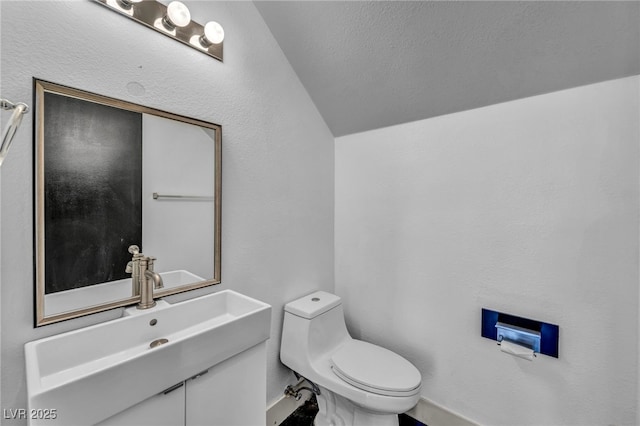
x=92 y=373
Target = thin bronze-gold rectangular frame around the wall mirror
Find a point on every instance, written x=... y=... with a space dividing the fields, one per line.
x=40 y=88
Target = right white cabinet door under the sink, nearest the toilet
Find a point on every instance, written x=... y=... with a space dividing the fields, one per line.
x=232 y=393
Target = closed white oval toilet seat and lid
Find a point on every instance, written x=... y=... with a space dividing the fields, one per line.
x=375 y=369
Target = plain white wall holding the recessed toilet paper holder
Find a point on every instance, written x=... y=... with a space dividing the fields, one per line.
x=528 y=207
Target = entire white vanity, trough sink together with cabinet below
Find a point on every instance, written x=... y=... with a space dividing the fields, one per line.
x=213 y=348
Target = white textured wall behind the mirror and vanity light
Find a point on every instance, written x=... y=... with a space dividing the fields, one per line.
x=277 y=186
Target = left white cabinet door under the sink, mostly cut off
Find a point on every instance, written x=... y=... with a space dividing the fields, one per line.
x=164 y=409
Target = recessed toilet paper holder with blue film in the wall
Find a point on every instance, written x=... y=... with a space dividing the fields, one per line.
x=540 y=337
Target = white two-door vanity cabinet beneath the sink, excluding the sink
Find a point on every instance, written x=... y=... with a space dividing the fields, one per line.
x=231 y=393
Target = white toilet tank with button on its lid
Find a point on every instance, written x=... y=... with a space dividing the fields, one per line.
x=313 y=325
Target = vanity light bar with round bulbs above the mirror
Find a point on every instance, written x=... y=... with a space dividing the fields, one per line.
x=172 y=20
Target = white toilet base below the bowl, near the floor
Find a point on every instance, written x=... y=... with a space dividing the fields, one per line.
x=335 y=410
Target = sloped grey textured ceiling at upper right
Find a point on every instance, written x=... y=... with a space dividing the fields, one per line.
x=370 y=64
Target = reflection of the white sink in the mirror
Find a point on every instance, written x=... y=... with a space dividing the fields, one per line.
x=71 y=300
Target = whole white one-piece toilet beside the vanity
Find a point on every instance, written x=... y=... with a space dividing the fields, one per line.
x=360 y=383
